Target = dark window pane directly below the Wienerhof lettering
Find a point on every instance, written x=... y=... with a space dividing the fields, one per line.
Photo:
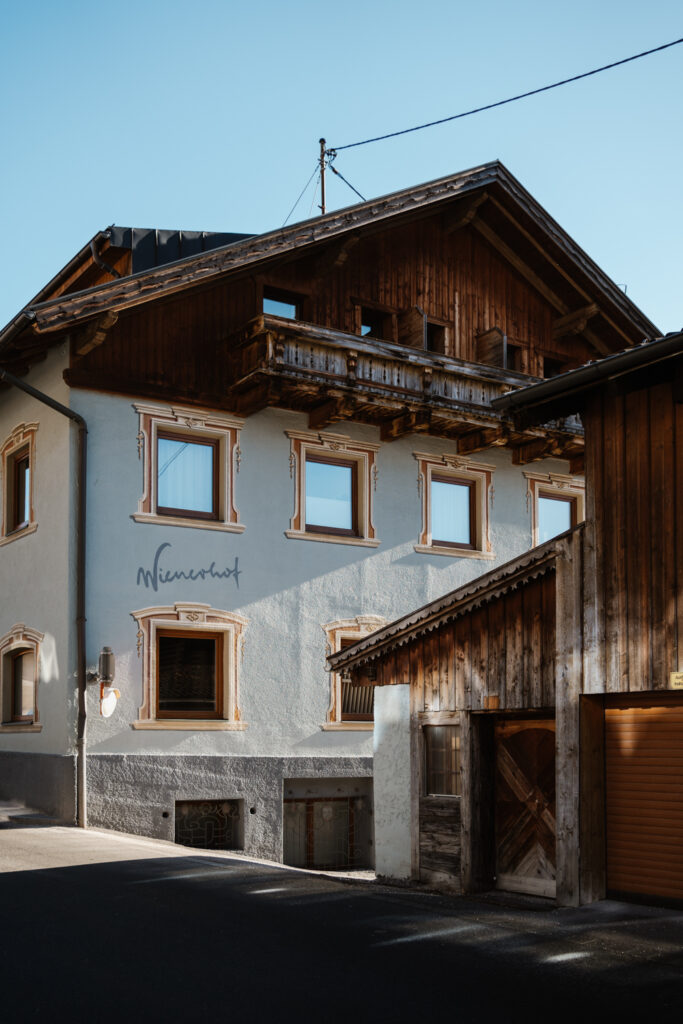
x=187 y=674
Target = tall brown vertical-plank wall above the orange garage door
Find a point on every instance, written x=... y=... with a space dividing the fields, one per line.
x=634 y=470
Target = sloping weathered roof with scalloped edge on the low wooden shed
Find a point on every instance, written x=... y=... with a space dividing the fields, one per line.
x=458 y=603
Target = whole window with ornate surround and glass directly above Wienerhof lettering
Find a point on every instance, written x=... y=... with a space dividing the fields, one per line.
x=190 y=462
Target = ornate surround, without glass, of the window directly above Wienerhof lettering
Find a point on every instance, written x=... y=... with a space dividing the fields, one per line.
x=169 y=421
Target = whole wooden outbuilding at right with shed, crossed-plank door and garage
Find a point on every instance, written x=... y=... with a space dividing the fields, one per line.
x=546 y=700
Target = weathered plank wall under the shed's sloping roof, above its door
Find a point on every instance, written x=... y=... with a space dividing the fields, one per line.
x=505 y=649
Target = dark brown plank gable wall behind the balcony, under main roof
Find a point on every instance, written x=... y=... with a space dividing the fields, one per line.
x=456 y=279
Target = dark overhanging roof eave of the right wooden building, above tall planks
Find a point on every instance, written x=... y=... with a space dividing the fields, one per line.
x=539 y=403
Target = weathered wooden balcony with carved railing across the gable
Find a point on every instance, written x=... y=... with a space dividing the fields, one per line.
x=335 y=376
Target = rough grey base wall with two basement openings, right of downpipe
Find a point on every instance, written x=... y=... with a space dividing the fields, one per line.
x=307 y=812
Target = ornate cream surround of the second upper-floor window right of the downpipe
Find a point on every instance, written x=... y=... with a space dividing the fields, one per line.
x=334 y=449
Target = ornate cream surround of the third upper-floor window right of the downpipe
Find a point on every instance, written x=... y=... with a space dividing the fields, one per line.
x=476 y=475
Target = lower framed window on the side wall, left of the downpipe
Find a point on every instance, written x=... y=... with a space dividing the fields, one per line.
x=20 y=668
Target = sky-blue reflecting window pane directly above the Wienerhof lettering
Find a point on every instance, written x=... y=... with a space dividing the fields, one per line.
x=186 y=476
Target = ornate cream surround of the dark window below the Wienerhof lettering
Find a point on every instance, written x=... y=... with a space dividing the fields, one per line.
x=190 y=619
